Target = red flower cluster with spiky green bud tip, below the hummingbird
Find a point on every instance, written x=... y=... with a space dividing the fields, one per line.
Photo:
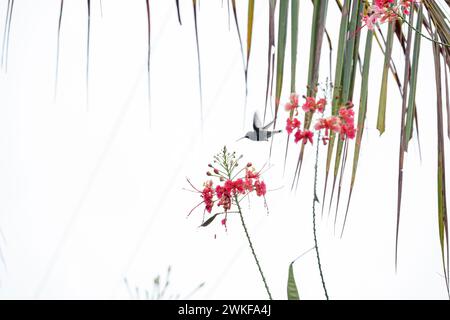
x=232 y=187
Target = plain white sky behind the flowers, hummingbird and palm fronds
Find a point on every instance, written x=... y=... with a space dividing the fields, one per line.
x=89 y=196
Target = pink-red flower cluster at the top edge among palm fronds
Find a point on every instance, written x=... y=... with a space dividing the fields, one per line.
x=382 y=11
